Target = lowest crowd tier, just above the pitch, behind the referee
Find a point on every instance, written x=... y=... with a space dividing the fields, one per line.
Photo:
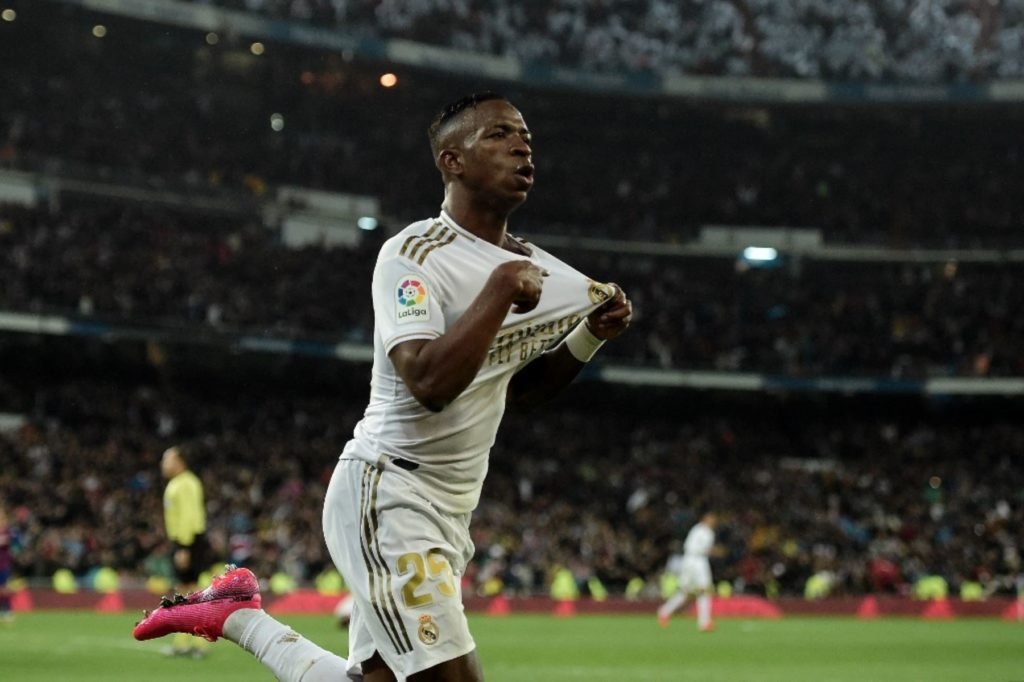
x=876 y=502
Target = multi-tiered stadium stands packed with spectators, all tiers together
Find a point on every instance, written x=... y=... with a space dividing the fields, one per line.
x=877 y=490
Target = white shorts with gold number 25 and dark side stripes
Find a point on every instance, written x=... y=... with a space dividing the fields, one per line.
x=403 y=561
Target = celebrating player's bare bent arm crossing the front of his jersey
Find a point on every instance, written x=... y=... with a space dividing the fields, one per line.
x=438 y=371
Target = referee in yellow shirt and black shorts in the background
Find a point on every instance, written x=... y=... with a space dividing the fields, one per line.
x=185 y=519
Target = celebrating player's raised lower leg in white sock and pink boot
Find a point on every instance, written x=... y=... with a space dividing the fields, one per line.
x=232 y=608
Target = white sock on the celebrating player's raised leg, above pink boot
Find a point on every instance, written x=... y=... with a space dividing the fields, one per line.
x=290 y=657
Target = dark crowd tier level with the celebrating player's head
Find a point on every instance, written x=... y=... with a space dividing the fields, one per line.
x=150 y=107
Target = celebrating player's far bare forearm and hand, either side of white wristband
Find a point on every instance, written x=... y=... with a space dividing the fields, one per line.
x=556 y=370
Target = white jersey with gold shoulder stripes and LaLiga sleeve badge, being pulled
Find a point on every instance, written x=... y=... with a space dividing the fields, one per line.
x=425 y=279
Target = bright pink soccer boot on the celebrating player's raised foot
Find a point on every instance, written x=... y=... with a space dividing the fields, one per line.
x=202 y=613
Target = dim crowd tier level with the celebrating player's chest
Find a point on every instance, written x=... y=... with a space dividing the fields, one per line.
x=143 y=266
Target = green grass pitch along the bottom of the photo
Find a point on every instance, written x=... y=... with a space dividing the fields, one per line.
x=52 y=647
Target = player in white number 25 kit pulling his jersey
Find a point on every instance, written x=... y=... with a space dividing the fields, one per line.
x=468 y=319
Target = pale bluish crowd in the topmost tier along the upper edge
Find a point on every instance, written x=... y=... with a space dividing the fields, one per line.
x=861 y=40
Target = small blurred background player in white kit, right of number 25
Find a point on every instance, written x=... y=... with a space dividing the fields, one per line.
x=694 y=571
